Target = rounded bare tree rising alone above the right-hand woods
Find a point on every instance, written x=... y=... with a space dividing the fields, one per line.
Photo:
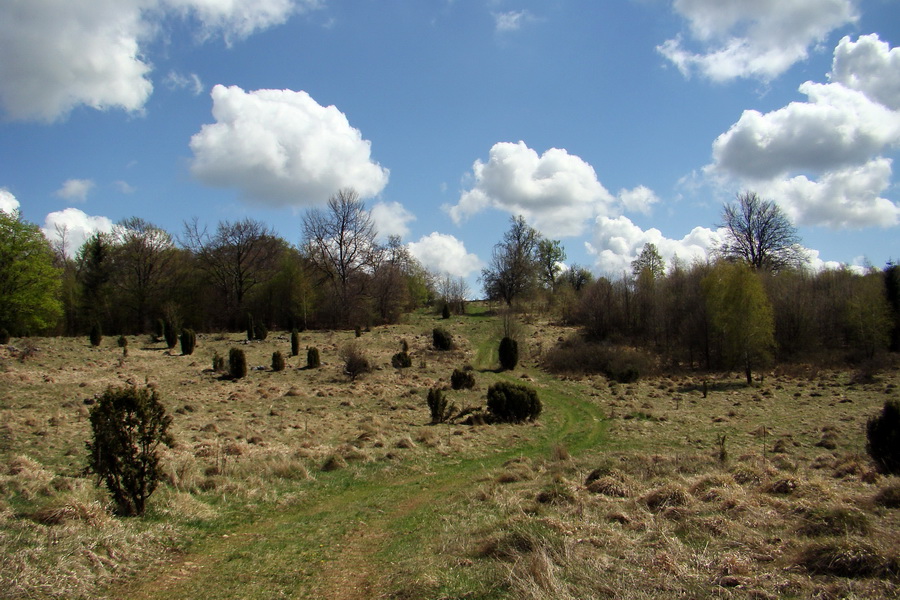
x=760 y=234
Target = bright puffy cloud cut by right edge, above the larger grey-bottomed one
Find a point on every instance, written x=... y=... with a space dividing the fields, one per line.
x=870 y=66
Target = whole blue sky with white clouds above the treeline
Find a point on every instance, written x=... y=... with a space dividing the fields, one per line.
x=607 y=124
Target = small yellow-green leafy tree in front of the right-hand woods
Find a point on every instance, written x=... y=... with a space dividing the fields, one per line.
x=742 y=314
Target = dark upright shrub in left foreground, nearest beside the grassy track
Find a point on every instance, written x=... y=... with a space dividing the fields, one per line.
x=128 y=425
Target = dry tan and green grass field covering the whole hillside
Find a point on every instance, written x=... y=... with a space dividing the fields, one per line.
x=304 y=484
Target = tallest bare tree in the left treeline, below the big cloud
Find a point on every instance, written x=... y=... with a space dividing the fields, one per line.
x=341 y=244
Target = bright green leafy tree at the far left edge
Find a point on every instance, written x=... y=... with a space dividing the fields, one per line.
x=29 y=282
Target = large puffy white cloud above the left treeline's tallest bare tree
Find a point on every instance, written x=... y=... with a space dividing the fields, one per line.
x=281 y=148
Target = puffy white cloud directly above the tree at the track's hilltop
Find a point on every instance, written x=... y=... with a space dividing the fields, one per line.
x=556 y=192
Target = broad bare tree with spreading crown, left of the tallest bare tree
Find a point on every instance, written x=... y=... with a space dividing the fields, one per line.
x=237 y=258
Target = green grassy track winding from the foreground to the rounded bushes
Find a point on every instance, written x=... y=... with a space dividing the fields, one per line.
x=349 y=536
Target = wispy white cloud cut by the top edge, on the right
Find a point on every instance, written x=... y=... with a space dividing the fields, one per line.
x=761 y=39
